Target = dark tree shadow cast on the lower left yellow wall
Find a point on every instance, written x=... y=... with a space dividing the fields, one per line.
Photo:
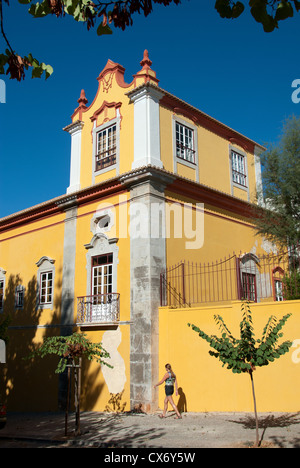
x=32 y=384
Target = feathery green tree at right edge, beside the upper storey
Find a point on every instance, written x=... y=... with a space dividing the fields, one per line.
x=280 y=220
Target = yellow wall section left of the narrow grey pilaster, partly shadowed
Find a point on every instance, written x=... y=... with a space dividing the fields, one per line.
x=30 y=385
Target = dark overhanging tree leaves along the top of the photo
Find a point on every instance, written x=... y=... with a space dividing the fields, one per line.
x=119 y=13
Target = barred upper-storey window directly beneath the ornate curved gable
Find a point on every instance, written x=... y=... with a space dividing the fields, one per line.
x=106 y=151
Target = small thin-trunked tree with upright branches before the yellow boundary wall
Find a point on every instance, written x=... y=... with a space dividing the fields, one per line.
x=243 y=355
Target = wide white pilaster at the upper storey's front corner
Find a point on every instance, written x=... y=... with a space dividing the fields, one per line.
x=146 y=127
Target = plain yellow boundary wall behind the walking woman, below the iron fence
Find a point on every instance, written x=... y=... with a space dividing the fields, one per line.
x=205 y=384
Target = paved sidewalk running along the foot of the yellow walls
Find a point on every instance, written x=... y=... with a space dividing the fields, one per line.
x=130 y=430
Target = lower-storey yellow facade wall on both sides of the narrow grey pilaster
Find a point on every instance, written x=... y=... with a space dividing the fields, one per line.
x=33 y=385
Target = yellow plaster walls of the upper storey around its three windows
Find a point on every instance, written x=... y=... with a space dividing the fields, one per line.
x=212 y=149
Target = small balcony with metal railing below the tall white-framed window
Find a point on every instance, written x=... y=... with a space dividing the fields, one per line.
x=98 y=310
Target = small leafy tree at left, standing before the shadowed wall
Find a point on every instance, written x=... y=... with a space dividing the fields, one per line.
x=70 y=350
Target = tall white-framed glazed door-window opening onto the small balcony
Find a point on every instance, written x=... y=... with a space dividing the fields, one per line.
x=102 y=277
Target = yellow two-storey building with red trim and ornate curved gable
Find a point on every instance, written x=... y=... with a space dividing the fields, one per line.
x=153 y=182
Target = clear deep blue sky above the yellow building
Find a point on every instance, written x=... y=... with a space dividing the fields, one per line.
x=229 y=69
